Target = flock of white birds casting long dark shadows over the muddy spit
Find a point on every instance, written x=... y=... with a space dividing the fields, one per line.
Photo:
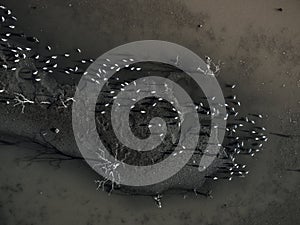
x=243 y=134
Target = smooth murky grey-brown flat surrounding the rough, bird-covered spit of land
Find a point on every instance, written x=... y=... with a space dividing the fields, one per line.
x=259 y=48
